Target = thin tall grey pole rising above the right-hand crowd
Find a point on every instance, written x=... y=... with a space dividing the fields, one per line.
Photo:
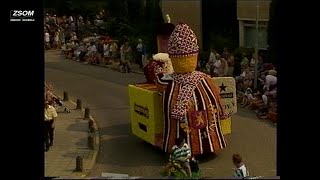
x=257 y=47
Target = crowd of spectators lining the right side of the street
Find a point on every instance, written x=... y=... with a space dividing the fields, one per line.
x=262 y=99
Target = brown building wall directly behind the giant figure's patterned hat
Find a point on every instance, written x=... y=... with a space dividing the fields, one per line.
x=187 y=11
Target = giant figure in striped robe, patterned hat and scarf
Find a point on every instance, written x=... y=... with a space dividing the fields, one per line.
x=191 y=101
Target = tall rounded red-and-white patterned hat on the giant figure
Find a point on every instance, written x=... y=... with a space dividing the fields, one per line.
x=183 y=42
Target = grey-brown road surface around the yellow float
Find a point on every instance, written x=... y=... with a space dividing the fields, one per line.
x=105 y=92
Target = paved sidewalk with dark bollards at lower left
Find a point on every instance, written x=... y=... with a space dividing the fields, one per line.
x=71 y=133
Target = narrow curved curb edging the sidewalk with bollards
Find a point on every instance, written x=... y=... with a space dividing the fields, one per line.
x=97 y=144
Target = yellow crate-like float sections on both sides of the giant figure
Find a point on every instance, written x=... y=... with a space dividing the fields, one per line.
x=146 y=109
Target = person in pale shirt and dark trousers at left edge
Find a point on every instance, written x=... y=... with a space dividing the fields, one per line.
x=50 y=115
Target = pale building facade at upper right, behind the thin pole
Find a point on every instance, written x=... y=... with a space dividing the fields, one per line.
x=248 y=13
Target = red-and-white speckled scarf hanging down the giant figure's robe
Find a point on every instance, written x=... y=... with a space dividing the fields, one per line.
x=188 y=83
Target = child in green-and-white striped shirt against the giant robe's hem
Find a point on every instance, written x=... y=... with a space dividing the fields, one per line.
x=182 y=153
